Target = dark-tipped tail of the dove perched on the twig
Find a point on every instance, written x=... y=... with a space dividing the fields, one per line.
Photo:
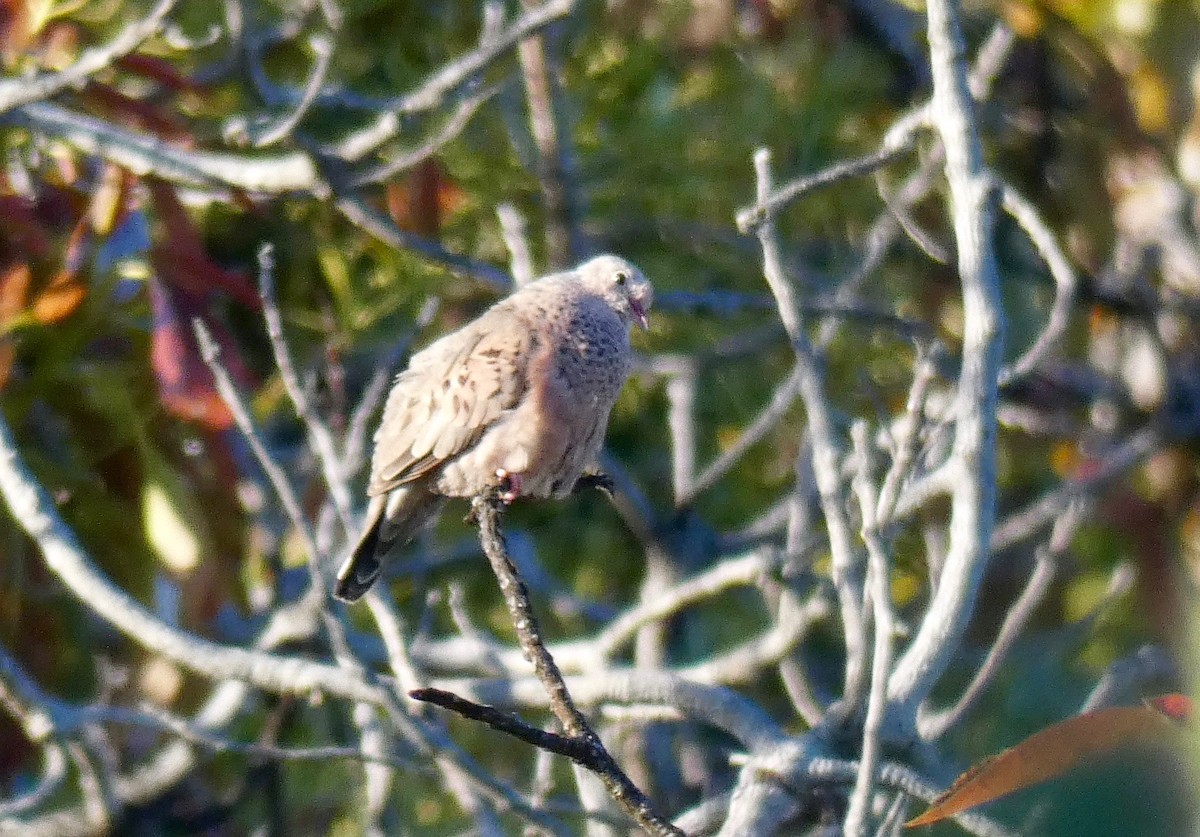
x=393 y=520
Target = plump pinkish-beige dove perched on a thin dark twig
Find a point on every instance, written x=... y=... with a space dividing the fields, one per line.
x=514 y=404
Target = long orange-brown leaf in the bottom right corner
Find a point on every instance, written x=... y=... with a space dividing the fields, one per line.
x=1045 y=756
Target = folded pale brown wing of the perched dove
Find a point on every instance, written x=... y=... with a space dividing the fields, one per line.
x=451 y=394
